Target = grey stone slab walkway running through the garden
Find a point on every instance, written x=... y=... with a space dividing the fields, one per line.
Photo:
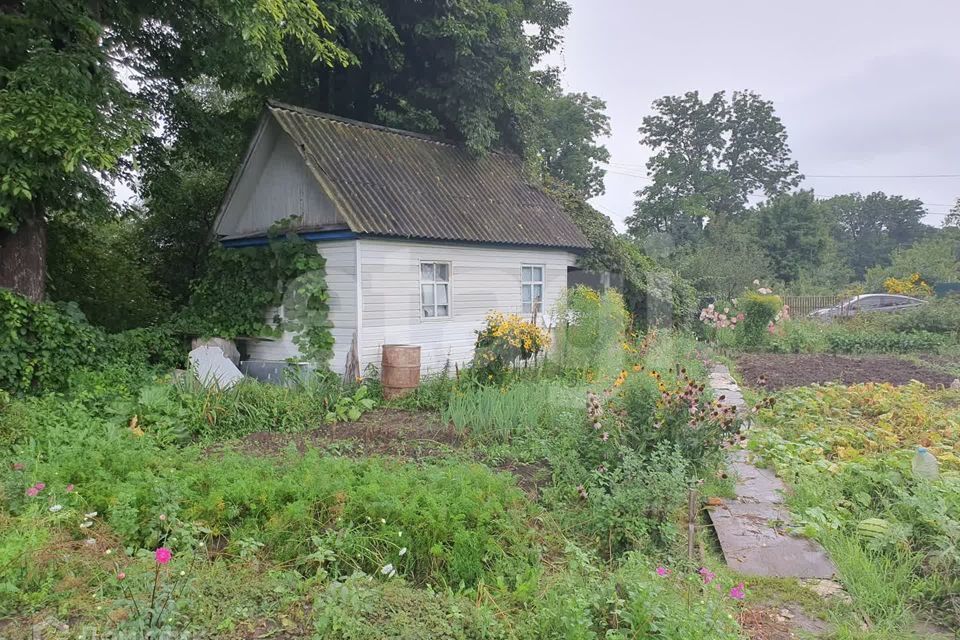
x=752 y=528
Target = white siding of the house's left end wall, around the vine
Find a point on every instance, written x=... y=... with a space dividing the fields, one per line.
x=341 y=281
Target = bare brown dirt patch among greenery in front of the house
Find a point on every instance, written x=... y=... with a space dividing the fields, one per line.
x=411 y=435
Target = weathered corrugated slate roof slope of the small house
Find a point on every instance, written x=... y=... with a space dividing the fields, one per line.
x=397 y=183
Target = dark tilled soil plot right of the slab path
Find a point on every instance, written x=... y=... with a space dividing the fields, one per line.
x=776 y=371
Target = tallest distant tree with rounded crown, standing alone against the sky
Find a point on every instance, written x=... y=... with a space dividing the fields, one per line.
x=709 y=156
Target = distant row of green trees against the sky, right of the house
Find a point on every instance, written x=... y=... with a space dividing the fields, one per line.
x=712 y=155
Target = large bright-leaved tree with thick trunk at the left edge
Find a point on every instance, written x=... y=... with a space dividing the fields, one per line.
x=68 y=119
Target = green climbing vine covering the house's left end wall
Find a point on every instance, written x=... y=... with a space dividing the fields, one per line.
x=241 y=286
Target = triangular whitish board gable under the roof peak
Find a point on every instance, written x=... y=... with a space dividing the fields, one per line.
x=275 y=184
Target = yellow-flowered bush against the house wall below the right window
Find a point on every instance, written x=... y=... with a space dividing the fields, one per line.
x=506 y=340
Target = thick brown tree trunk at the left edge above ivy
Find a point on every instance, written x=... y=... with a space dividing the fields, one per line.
x=23 y=258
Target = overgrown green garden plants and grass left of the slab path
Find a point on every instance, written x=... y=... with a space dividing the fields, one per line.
x=360 y=546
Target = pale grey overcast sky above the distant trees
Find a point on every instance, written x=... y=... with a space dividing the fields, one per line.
x=863 y=87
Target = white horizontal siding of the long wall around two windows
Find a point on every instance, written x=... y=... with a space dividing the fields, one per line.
x=482 y=279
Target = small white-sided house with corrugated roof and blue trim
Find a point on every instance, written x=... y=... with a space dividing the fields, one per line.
x=421 y=239
